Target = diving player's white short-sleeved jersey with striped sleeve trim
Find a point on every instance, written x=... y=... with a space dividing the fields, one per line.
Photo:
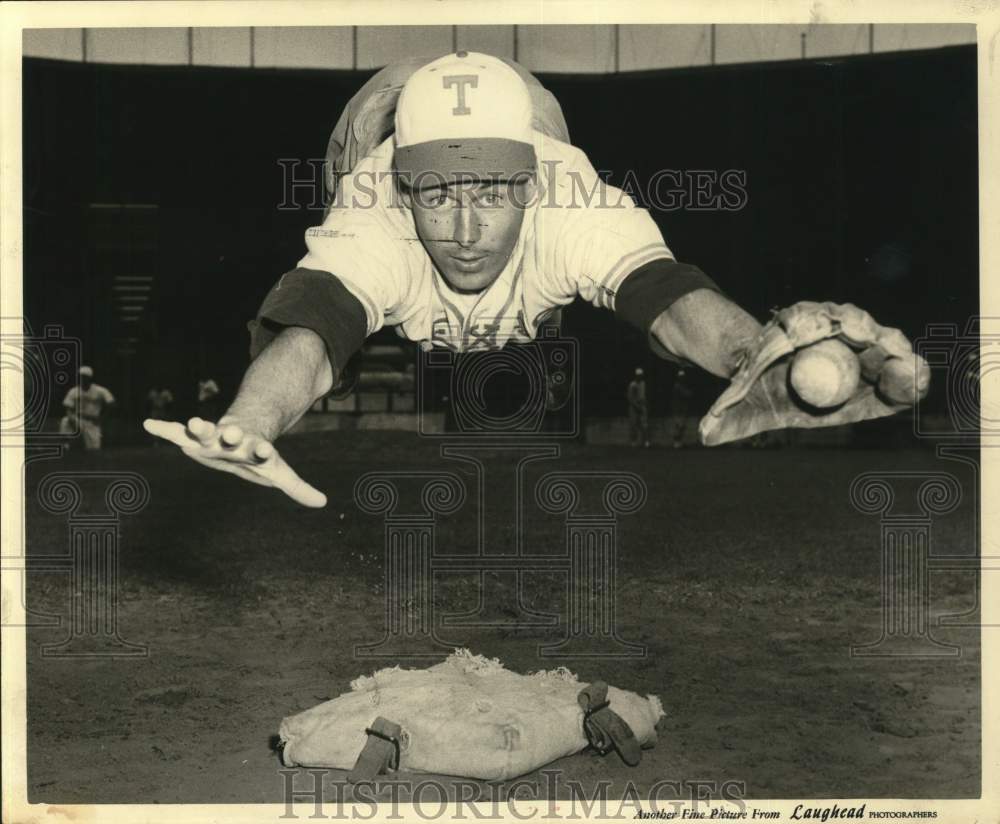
x=579 y=237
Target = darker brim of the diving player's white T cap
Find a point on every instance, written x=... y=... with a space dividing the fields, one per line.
x=439 y=163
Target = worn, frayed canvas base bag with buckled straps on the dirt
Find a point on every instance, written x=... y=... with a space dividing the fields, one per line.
x=467 y=716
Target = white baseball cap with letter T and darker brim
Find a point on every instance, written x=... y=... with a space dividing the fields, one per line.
x=463 y=117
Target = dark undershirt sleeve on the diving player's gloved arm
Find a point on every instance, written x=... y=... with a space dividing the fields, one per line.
x=650 y=289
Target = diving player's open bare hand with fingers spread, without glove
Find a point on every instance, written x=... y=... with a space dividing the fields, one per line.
x=231 y=448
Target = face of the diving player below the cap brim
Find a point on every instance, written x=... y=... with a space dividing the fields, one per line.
x=470 y=230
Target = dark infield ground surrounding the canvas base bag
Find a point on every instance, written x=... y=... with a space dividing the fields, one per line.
x=748 y=575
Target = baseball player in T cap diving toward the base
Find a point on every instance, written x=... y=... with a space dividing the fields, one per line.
x=464 y=219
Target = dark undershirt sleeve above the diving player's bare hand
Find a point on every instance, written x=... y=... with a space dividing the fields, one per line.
x=314 y=300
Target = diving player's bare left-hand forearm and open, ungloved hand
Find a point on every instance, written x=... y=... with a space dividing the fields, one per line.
x=280 y=385
